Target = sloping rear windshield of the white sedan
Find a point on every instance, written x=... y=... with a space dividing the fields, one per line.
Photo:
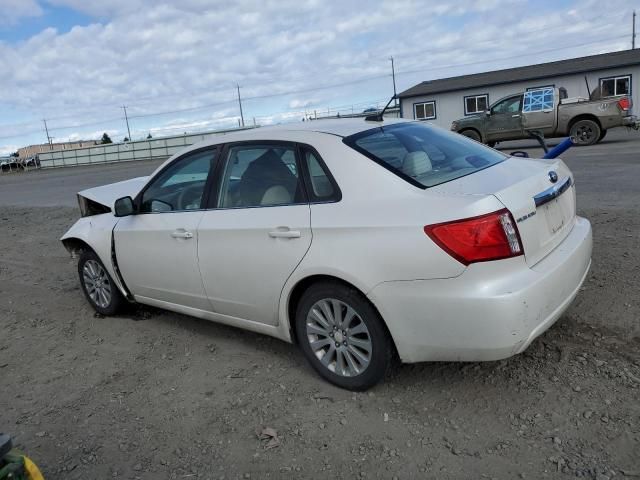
x=422 y=154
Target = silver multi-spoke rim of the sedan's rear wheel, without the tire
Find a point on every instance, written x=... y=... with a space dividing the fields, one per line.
x=338 y=337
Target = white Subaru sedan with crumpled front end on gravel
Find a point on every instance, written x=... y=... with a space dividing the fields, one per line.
x=357 y=240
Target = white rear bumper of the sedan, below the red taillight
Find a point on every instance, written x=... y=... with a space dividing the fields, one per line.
x=492 y=311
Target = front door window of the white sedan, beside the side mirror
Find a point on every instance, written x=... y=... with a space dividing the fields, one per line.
x=179 y=187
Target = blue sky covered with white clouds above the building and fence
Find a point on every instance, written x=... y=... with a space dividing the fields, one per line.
x=176 y=65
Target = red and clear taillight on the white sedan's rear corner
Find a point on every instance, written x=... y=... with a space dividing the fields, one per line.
x=479 y=239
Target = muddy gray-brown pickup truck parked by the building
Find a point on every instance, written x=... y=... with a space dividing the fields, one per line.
x=549 y=112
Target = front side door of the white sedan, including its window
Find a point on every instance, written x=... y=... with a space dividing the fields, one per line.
x=156 y=248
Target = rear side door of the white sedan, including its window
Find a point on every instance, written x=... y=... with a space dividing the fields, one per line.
x=256 y=232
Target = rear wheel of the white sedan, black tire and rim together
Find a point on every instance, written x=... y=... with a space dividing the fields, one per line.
x=342 y=336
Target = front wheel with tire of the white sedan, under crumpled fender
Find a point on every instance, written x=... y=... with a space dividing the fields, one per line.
x=98 y=286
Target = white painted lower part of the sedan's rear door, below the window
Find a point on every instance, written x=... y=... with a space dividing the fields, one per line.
x=243 y=267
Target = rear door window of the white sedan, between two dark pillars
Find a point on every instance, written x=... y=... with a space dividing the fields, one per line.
x=261 y=175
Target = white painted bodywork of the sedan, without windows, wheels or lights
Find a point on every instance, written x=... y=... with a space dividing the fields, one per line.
x=232 y=272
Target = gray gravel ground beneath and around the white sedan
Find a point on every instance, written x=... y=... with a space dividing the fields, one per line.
x=156 y=395
